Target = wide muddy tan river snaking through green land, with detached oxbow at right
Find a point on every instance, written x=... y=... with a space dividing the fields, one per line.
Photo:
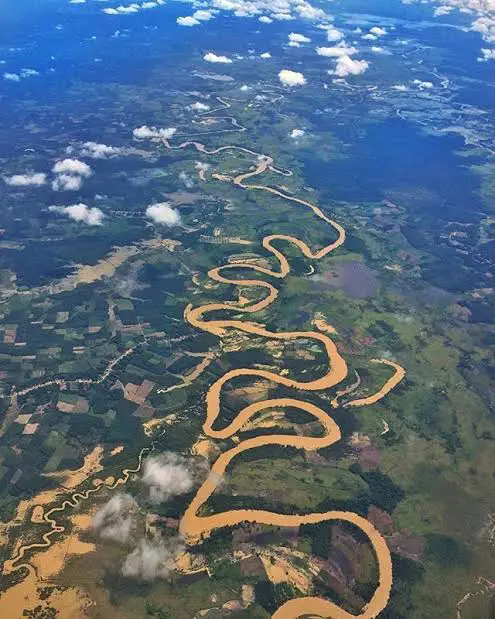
x=194 y=525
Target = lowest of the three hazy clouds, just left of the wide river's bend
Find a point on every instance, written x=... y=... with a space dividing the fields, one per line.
x=152 y=559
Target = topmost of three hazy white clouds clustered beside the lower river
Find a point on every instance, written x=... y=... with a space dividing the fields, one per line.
x=167 y=475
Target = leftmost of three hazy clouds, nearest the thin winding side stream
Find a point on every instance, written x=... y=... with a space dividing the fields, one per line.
x=116 y=519
